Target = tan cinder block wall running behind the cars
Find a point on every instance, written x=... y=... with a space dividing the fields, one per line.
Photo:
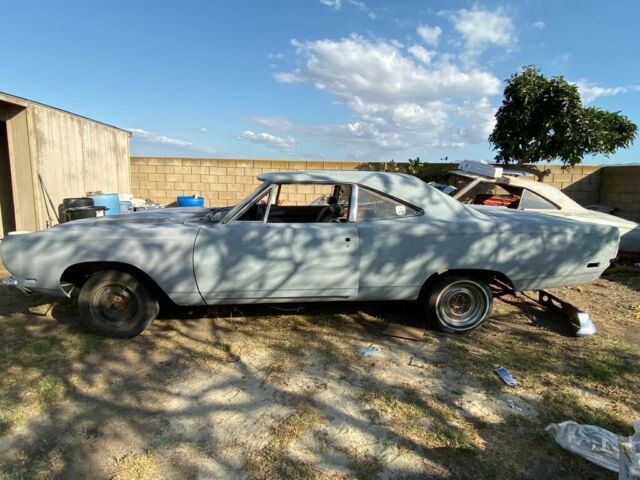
x=224 y=182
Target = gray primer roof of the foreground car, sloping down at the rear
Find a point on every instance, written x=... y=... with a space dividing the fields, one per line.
x=399 y=185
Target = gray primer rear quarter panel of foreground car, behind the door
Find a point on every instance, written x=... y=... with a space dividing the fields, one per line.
x=397 y=256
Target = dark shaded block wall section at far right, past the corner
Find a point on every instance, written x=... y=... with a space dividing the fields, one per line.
x=621 y=190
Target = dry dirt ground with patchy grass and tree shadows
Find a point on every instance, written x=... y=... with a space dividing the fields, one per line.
x=282 y=392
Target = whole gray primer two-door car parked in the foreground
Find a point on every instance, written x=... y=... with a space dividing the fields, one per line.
x=380 y=236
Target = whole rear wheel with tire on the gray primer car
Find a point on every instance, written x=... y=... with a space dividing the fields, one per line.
x=459 y=304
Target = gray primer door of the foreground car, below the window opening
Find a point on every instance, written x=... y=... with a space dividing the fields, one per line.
x=253 y=261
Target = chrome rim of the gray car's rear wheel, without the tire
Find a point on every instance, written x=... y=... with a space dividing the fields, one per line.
x=462 y=304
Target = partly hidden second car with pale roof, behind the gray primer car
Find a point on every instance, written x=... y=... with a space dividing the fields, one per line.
x=522 y=192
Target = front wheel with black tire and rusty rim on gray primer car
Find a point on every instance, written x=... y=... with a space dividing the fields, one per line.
x=116 y=304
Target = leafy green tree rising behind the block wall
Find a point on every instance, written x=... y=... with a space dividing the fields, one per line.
x=543 y=119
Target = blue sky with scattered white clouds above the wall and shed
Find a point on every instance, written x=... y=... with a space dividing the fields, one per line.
x=314 y=79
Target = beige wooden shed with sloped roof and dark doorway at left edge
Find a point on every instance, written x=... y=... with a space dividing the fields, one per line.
x=72 y=155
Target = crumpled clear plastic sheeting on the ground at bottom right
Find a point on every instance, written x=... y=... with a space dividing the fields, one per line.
x=600 y=446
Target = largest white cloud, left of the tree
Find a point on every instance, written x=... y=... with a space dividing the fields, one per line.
x=397 y=102
